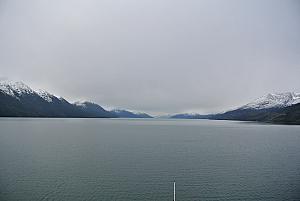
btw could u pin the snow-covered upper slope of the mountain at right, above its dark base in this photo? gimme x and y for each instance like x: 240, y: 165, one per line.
x: 275, y: 100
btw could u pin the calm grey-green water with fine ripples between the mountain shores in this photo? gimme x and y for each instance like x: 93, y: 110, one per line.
x: 120, y: 159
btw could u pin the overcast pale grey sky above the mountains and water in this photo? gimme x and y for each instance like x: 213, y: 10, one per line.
x: 157, y: 56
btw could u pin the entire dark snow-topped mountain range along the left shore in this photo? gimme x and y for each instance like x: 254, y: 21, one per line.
x: 19, y: 100
